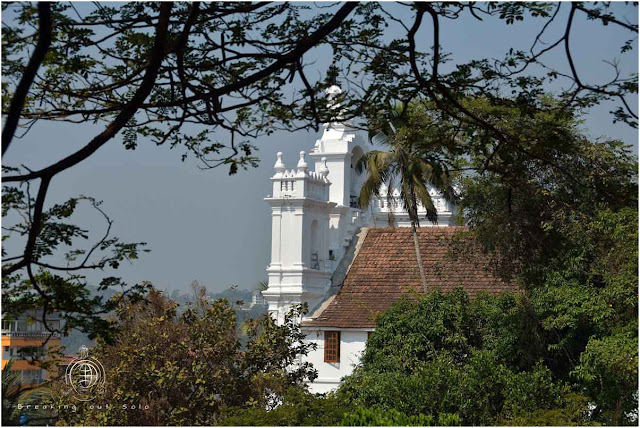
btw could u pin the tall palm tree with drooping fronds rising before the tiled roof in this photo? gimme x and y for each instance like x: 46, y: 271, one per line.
x: 412, y: 163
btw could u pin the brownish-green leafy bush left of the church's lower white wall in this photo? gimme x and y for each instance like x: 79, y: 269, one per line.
x: 189, y: 367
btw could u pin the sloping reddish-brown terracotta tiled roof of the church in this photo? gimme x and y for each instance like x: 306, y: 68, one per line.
x: 385, y: 268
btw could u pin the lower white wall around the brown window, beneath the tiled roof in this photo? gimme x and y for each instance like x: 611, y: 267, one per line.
x: 352, y: 344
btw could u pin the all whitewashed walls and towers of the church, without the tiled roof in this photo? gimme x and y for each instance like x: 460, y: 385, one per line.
x: 315, y: 221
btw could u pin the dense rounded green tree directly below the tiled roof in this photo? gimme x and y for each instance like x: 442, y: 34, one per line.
x: 447, y: 354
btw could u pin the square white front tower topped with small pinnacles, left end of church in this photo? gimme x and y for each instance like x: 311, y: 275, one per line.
x: 299, y: 271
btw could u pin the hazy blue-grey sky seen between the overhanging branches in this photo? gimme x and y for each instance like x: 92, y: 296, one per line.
x: 215, y: 228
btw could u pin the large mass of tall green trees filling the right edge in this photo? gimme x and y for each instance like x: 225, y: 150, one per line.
x: 565, y: 225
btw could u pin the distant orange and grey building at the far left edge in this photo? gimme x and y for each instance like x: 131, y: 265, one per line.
x: 24, y: 339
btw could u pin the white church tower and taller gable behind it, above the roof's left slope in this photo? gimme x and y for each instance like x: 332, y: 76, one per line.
x: 314, y: 219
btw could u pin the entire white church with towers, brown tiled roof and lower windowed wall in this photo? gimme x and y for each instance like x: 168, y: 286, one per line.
x: 343, y: 261
